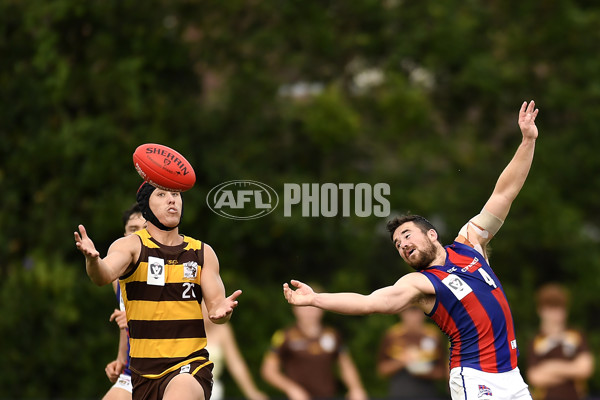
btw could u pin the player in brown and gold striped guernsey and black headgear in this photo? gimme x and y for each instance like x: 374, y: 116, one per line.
x: 164, y: 276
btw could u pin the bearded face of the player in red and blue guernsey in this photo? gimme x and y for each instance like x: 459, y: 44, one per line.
x: 415, y: 246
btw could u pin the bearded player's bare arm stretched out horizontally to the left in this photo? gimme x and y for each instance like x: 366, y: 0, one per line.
x: 411, y: 289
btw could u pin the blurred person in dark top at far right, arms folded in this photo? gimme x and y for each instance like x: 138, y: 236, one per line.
x: 560, y: 362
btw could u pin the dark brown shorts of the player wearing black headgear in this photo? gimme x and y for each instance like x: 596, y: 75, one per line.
x: 154, y: 389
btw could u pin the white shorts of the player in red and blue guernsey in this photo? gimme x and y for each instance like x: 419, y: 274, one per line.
x: 472, y: 384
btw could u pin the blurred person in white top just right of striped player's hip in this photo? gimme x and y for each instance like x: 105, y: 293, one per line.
x: 224, y: 351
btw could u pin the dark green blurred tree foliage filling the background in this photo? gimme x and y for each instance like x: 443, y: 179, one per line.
x: 420, y: 95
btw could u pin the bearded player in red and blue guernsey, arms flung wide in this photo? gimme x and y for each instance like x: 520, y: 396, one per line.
x: 455, y: 286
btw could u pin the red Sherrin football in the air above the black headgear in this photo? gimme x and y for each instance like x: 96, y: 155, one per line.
x: 164, y: 167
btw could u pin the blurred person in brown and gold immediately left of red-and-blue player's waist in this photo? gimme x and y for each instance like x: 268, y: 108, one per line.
x: 413, y: 355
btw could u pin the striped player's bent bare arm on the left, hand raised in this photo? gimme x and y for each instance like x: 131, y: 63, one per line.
x: 120, y: 256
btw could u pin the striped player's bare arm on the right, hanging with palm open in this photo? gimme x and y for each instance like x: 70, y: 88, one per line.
x: 219, y: 307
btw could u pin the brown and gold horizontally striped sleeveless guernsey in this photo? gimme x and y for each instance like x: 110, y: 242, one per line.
x: 162, y: 298
